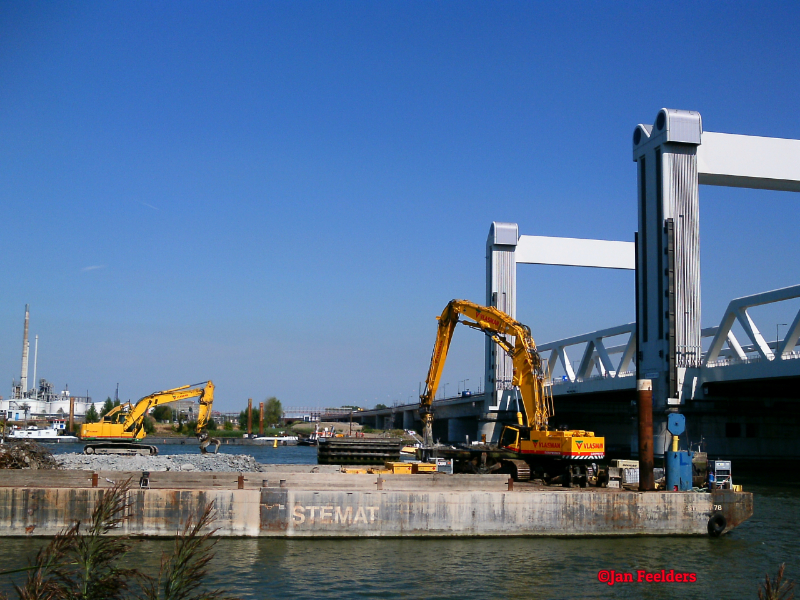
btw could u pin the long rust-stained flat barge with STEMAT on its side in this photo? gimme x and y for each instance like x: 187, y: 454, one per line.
x: 290, y: 501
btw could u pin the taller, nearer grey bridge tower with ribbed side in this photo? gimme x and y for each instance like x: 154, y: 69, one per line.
x: 668, y: 256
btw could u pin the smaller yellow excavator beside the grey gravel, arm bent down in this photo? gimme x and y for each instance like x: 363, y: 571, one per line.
x: 121, y: 429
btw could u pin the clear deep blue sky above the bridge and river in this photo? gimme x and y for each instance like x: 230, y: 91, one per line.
x: 281, y: 196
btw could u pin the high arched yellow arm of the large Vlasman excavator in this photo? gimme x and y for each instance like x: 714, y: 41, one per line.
x: 528, y: 368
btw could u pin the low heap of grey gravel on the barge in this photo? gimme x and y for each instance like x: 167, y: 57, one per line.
x: 174, y: 462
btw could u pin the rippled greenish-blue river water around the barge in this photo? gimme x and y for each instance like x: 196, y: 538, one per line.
x: 729, y: 567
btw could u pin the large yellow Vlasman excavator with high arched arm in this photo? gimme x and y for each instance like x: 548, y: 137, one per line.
x: 528, y: 445
